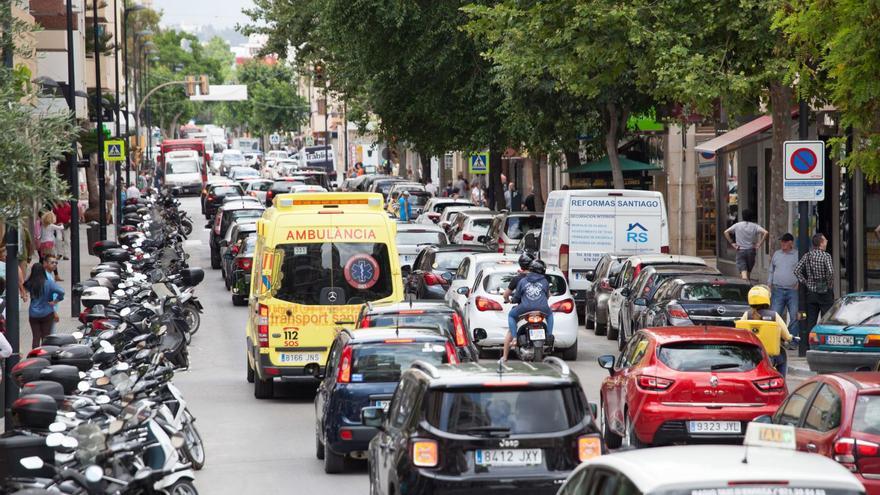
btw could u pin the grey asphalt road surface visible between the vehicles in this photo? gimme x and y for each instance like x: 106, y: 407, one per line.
x: 268, y: 446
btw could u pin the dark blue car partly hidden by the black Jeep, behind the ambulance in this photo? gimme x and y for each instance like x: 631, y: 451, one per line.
x: 362, y: 371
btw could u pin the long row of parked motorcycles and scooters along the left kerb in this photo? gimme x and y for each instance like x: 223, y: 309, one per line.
x: 98, y: 412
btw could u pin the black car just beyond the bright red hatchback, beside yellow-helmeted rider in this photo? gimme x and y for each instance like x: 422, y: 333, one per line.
x: 698, y: 300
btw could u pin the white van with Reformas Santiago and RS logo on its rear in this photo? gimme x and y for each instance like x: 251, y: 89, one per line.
x: 582, y: 225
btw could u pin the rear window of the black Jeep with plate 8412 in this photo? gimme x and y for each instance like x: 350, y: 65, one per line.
x: 514, y: 412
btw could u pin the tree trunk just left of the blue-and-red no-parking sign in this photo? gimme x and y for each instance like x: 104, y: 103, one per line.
x: 780, y: 103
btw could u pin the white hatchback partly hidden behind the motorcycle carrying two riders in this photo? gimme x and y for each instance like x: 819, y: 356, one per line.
x: 486, y: 309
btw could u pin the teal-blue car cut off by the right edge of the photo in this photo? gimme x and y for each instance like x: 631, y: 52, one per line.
x: 848, y: 336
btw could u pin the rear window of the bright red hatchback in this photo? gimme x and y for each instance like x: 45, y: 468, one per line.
x: 710, y: 356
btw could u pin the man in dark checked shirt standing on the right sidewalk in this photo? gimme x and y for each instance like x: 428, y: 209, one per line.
x: 816, y: 272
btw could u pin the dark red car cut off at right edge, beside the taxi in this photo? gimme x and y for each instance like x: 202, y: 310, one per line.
x: 838, y: 416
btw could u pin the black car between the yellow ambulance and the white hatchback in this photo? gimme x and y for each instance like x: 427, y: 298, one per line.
x: 434, y: 268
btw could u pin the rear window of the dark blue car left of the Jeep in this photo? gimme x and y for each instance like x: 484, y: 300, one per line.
x: 383, y: 361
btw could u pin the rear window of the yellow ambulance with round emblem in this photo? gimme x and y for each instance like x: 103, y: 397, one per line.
x: 334, y: 273
